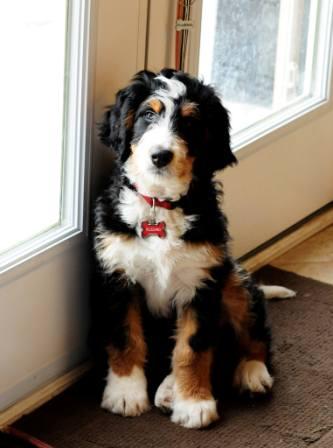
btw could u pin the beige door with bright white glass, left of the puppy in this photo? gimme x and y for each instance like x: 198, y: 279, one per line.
x: 44, y: 171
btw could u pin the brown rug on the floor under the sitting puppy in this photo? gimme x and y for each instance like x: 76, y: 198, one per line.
x: 298, y: 414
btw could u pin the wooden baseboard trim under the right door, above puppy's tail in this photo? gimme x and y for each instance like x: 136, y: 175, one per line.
x: 290, y: 239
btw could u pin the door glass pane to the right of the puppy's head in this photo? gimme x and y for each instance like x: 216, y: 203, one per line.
x: 259, y: 54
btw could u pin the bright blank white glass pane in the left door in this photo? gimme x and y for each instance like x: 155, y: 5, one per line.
x: 32, y: 86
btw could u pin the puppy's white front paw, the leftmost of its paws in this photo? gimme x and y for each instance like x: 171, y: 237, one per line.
x: 126, y: 395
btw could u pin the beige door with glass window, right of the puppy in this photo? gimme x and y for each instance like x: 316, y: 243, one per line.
x: 271, y: 62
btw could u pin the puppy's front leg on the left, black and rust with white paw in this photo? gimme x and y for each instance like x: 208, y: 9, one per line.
x: 125, y: 392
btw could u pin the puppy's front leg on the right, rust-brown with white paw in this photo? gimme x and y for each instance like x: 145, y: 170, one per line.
x: 193, y: 403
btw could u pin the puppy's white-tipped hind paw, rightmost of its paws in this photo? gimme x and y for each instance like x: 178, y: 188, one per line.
x: 253, y: 376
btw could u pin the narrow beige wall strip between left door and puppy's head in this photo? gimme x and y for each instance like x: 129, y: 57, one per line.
x: 120, y: 45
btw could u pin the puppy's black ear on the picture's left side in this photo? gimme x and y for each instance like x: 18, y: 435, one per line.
x: 116, y: 129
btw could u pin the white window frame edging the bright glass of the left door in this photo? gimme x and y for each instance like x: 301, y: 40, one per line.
x: 76, y: 150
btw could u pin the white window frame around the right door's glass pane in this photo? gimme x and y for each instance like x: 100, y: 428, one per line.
x: 250, y: 139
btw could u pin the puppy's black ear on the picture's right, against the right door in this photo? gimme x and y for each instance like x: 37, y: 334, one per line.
x: 218, y: 134
